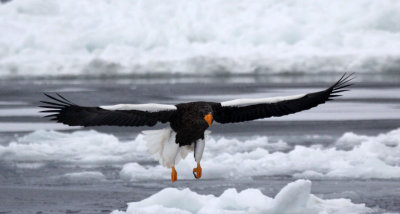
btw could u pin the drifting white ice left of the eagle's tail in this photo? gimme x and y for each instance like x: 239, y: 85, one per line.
x: 80, y: 147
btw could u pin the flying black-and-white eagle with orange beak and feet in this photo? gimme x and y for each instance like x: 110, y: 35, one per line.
x: 188, y: 122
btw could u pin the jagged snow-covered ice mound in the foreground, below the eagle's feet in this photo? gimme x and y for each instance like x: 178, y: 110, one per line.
x: 295, y: 197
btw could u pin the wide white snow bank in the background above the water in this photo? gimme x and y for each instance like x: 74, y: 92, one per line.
x: 103, y: 37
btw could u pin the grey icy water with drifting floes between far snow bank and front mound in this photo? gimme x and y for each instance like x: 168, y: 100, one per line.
x: 348, y: 148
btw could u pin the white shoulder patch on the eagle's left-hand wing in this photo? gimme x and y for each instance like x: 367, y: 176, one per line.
x: 150, y: 107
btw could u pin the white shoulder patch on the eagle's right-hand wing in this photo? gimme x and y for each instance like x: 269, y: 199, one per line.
x: 248, y: 102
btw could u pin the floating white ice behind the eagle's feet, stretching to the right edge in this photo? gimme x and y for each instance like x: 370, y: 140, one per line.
x: 362, y: 157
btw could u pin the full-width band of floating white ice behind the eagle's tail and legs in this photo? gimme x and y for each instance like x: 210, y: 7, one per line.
x: 351, y: 156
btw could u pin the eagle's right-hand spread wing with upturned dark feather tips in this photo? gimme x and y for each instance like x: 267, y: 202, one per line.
x: 250, y: 109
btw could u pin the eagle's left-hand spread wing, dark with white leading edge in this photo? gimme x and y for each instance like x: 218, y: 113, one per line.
x: 64, y: 111
